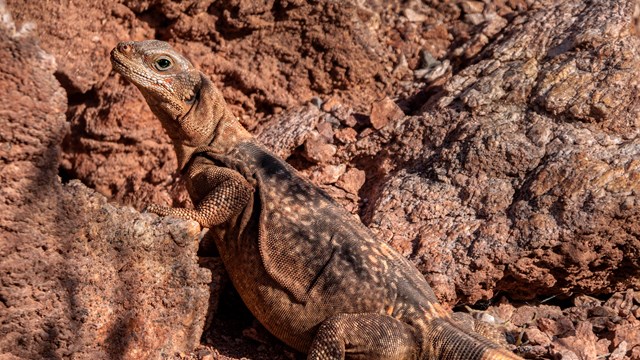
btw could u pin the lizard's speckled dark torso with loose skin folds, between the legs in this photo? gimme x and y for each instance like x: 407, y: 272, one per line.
x: 297, y: 258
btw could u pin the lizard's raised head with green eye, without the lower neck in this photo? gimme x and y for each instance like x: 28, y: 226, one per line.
x: 171, y: 86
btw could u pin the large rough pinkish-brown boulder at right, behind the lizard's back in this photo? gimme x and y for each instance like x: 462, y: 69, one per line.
x: 529, y: 175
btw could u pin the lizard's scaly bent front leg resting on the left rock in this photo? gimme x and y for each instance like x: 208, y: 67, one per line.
x: 223, y: 193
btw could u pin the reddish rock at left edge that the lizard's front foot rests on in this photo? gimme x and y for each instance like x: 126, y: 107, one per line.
x: 80, y: 277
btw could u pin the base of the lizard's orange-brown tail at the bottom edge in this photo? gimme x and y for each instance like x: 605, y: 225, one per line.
x: 446, y: 341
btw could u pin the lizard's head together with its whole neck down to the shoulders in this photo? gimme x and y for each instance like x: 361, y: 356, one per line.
x: 190, y: 107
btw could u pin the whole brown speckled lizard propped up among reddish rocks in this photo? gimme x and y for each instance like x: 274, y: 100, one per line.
x: 310, y: 272
